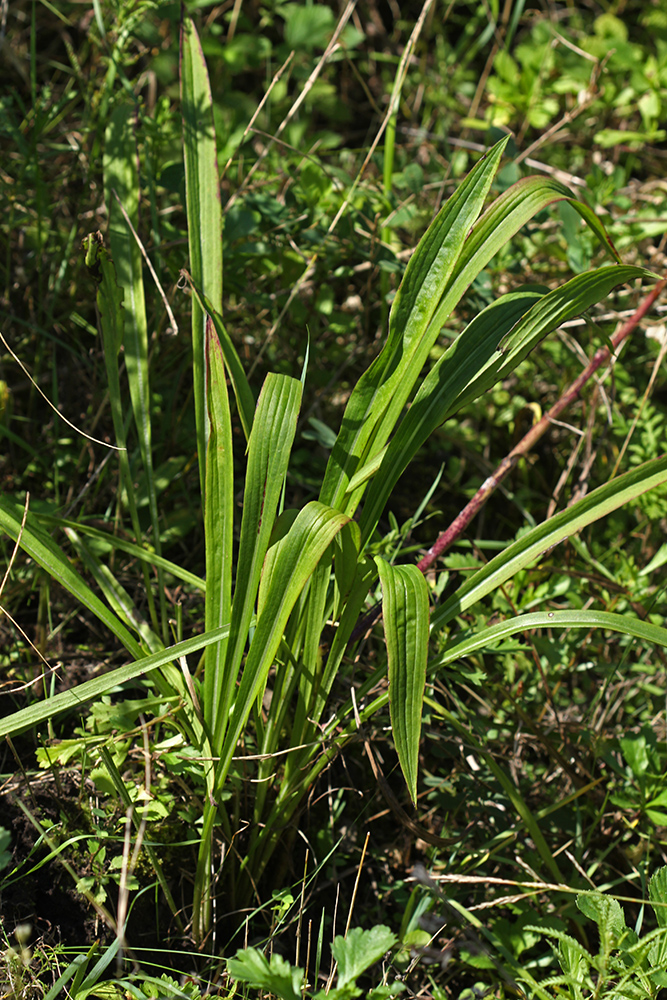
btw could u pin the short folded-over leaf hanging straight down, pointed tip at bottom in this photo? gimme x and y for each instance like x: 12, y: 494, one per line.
x: 405, y: 614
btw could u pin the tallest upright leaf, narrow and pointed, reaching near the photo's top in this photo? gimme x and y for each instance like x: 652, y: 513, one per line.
x: 204, y: 211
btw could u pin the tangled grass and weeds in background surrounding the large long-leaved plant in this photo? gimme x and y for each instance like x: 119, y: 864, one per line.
x: 542, y: 755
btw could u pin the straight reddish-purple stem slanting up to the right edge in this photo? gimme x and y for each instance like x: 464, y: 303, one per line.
x: 529, y: 440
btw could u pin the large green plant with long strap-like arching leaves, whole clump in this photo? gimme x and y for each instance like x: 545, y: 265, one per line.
x: 275, y: 581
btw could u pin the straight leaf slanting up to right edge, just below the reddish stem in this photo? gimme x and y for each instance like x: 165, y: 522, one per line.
x: 534, y: 543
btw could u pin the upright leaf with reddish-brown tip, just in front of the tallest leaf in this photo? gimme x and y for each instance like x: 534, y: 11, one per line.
x: 219, y: 531
